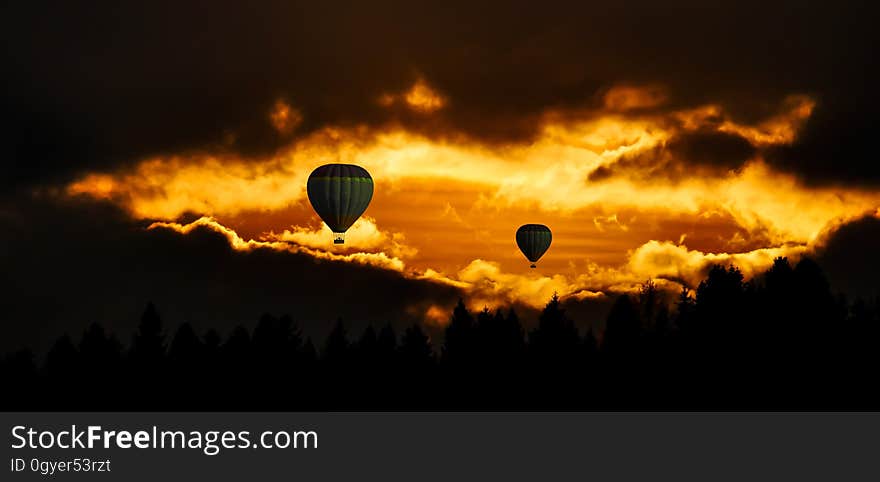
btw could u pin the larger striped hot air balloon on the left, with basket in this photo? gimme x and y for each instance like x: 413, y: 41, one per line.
x: 340, y: 193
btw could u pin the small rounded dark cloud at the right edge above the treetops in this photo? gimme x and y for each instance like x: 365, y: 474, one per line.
x: 851, y: 258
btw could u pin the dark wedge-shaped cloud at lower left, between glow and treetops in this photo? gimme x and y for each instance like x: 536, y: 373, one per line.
x: 67, y: 266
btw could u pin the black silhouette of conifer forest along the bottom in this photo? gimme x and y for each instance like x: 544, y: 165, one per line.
x: 782, y: 340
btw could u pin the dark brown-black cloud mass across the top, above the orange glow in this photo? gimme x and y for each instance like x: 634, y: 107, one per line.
x: 98, y: 85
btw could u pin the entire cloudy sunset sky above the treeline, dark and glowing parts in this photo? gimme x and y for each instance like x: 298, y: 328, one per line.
x: 160, y: 152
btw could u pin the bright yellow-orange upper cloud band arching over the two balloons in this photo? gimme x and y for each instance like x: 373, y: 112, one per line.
x: 168, y: 187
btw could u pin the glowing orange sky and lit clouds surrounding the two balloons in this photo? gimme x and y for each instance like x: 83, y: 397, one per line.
x: 447, y: 208
